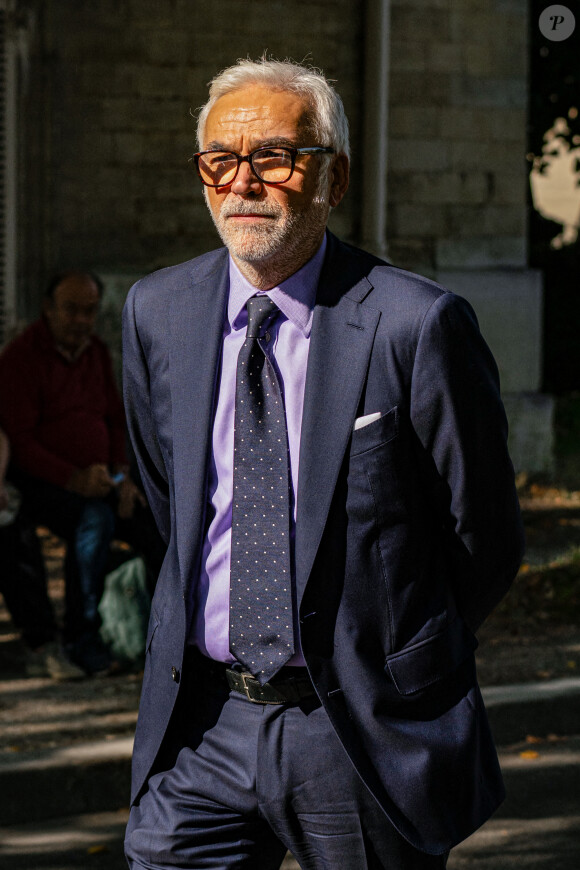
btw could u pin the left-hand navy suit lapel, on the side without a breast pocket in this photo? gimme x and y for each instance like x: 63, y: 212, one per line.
x: 197, y: 325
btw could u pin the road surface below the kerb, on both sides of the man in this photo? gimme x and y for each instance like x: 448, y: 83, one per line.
x: 537, y: 828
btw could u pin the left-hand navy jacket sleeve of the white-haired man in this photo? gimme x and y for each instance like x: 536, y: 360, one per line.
x: 141, y: 426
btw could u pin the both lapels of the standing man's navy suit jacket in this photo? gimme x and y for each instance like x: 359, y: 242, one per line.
x: 341, y: 343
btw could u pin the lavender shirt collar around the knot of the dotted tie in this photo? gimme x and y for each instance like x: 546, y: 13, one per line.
x: 294, y: 297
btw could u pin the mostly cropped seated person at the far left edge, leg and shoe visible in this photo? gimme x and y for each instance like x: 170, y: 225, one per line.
x: 23, y: 586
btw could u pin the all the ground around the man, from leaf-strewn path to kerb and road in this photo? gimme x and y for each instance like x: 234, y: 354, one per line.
x: 65, y: 749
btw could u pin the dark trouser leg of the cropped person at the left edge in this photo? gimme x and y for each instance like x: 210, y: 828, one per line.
x: 23, y: 583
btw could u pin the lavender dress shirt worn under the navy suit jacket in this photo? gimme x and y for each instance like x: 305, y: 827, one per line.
x: 288, y: 349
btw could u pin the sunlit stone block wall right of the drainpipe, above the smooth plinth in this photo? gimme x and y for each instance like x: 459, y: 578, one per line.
x: 457, y: 134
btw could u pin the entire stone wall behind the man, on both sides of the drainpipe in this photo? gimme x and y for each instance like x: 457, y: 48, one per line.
x: 113, y: 86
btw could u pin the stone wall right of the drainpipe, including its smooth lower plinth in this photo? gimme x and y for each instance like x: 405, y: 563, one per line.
x: 457, y: 185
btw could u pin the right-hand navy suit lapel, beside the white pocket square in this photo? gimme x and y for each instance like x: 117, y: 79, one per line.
x: 343, y: 332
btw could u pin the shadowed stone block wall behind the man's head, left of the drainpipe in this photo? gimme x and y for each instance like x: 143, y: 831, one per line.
x: 122, y: 79
